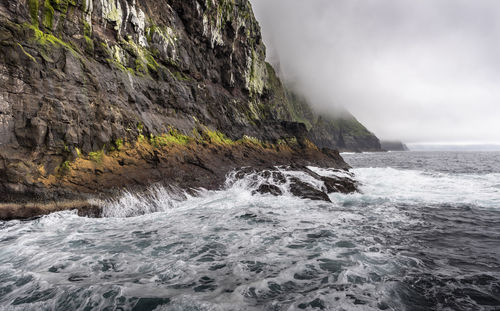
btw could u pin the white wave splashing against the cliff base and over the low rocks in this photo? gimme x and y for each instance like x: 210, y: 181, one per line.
x: 241, y: 186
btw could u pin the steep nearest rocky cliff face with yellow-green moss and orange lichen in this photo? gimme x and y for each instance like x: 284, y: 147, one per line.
x: 93, y: 88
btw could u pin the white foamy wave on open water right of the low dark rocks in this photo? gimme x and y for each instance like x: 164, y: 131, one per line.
x: 421, y: 187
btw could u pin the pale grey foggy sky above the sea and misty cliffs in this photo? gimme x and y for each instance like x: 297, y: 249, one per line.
x: 417, y: 71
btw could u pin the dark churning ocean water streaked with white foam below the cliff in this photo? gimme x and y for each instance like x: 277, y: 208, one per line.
x: 424, y: 234
